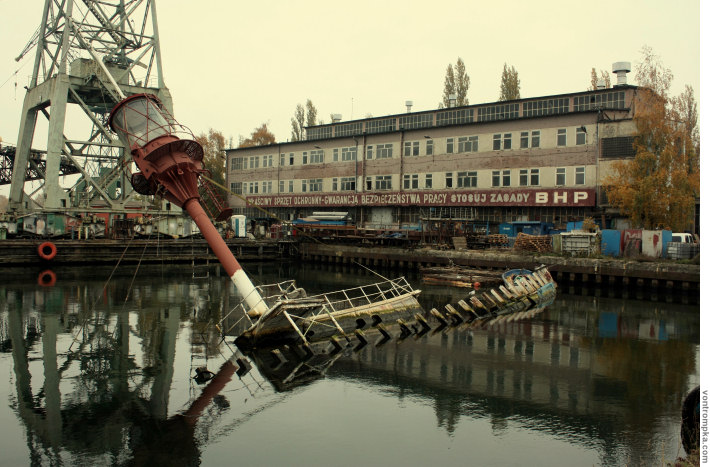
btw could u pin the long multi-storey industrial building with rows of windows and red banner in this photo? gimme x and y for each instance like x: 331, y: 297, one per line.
x: 536, y: 159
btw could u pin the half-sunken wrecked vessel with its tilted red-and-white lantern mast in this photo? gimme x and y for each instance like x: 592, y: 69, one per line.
x: 170, y: 165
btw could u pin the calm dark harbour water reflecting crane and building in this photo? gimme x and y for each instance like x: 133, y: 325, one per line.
x: 98, y: 370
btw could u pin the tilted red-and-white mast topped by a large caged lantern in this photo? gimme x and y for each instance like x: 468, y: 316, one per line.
x: 169, y: 162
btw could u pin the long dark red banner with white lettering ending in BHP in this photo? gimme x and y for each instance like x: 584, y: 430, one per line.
x: 509, y: 197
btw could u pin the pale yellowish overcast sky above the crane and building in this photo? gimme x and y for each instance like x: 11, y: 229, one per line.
x: 233, y: 65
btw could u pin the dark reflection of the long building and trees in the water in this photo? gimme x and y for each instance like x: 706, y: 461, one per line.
x: 556, y: 374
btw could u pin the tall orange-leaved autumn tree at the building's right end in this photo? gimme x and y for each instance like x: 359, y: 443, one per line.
x: 658, y: 188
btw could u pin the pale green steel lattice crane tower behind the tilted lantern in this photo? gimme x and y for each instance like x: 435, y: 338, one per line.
x: 89, y: 55
